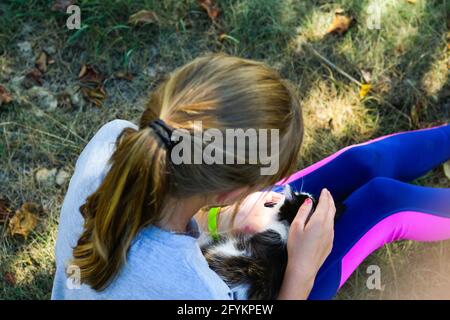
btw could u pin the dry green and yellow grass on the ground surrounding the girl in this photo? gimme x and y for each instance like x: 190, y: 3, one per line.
x: 407, y: 59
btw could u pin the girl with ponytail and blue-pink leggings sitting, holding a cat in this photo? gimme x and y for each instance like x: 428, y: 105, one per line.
x: 135, y: 236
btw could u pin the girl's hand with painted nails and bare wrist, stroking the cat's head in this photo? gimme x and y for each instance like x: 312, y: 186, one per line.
x: 309, y: 244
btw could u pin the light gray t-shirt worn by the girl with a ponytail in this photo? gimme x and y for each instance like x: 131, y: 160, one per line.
x: 160, y: 264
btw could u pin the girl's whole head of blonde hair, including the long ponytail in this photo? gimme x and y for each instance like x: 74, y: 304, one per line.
x: 221, y: 91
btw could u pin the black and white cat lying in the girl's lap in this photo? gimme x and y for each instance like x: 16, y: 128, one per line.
x: 253, y: 265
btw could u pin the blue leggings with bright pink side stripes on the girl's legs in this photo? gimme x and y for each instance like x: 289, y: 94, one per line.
x: 370, y: 179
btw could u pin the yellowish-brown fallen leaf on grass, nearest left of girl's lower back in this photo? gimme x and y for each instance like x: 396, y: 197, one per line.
x: 24, y: 220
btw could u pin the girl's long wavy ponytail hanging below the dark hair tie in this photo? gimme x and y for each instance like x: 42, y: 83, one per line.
x: 130, y: 196
